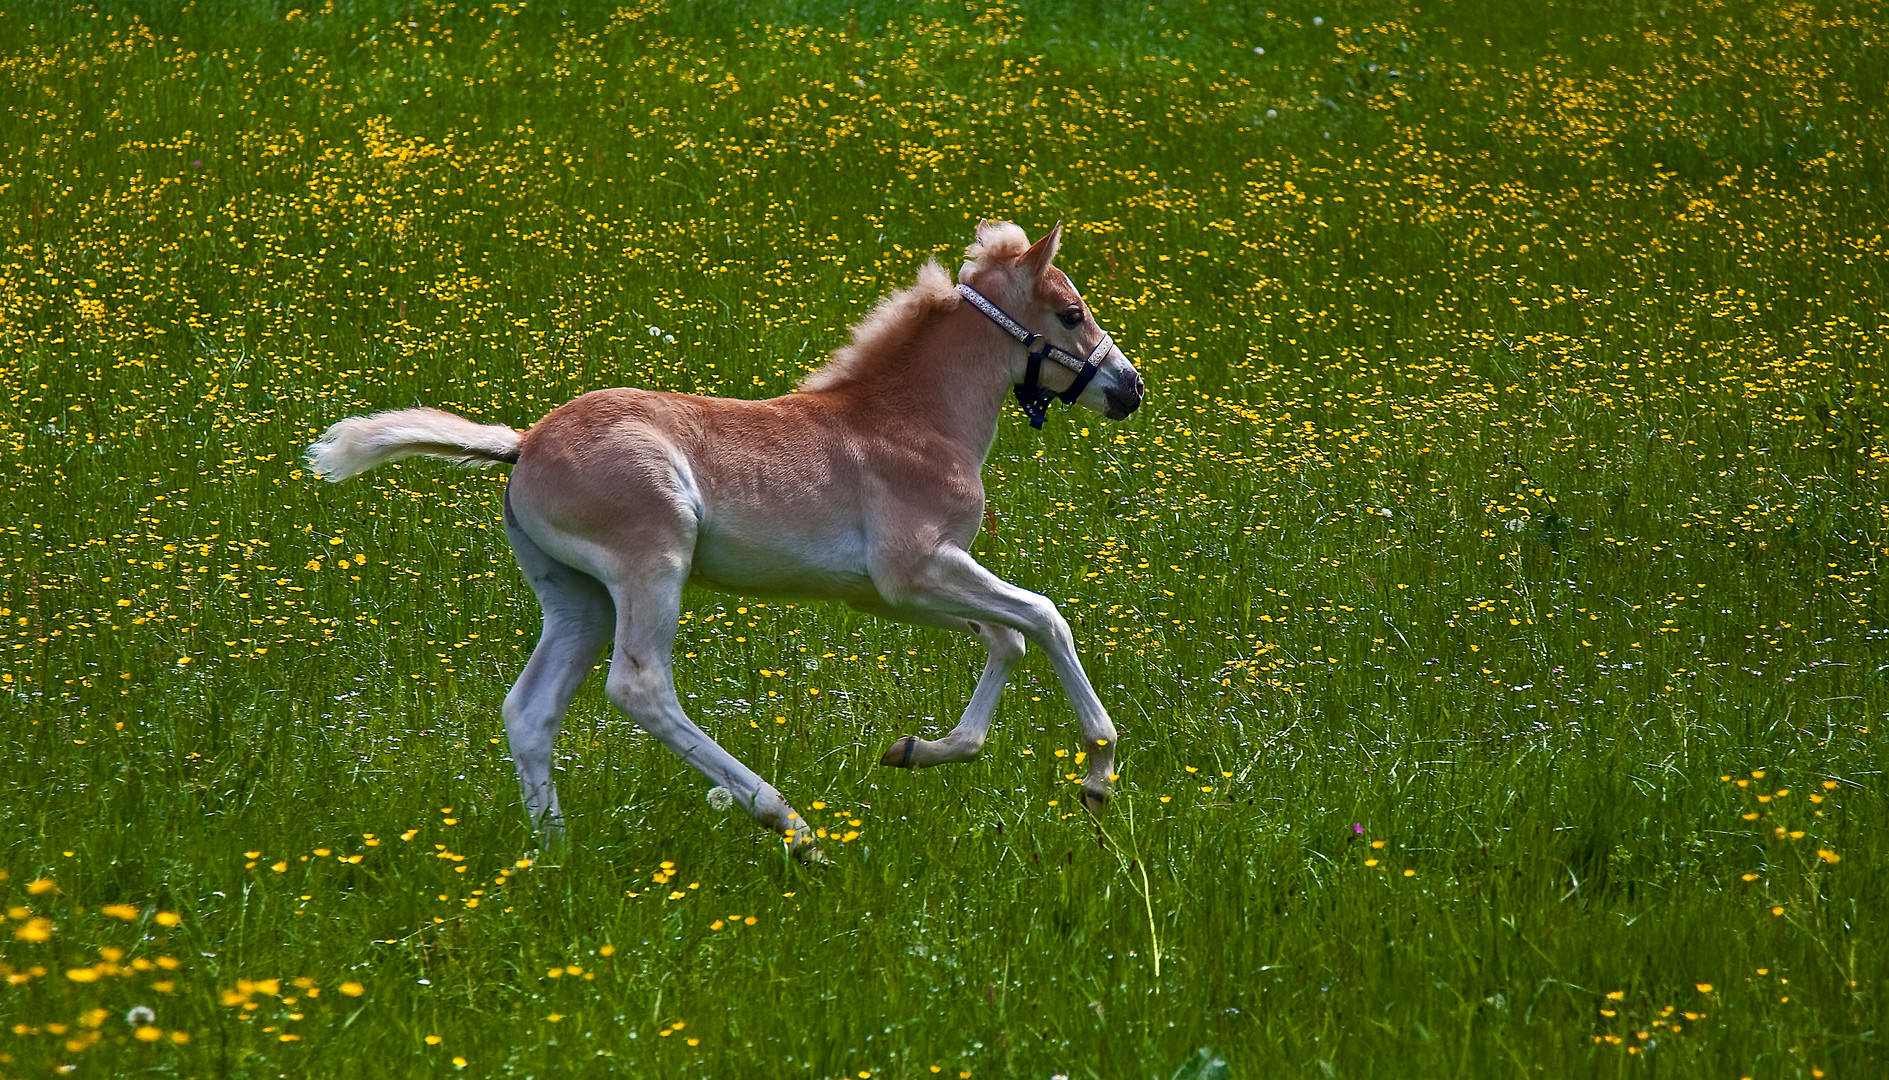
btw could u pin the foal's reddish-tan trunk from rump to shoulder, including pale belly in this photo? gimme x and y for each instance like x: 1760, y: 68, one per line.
x: 779, y: 496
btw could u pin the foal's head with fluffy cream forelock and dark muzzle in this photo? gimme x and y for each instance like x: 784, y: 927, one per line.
x: 1023, y: 280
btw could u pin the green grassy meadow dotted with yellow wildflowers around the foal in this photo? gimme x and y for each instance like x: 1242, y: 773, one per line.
x: 1486, y: 594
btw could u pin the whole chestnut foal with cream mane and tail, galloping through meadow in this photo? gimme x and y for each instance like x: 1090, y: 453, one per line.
x: 862, y: 488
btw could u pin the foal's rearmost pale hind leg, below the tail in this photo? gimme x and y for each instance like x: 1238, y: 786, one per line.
x: 577, y: 628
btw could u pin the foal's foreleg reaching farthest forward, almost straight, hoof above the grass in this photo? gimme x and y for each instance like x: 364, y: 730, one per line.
x: 951, y: 582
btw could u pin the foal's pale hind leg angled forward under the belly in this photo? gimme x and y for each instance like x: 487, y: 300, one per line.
x: 643, y: 686
